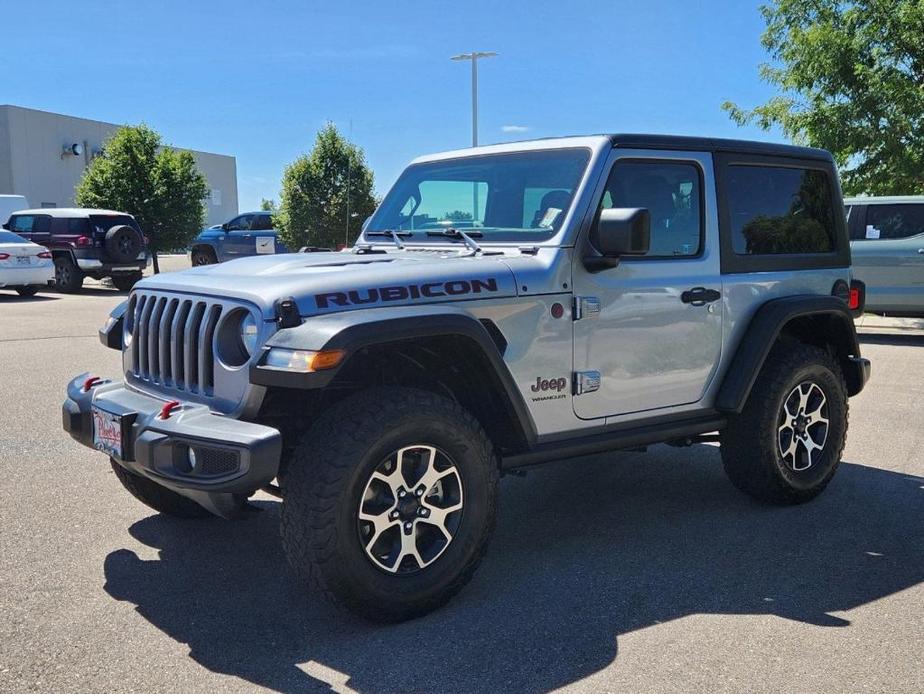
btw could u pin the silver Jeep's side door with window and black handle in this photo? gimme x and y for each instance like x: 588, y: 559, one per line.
x: 652, y: 344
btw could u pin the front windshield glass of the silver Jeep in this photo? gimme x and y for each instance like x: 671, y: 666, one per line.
x: 522, y: 196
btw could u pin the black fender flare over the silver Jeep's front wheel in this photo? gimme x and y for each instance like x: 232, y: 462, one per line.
x: 352, y: 331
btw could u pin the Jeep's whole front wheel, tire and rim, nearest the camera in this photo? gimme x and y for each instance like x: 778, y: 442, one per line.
x: 389, y: 501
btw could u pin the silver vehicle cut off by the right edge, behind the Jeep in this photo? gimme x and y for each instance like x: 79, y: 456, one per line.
x: 887, y: 246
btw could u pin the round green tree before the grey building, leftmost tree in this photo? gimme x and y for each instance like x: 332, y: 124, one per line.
x: 159, y: 185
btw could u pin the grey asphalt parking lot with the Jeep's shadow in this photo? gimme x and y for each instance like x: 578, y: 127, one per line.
x: 632, y: 572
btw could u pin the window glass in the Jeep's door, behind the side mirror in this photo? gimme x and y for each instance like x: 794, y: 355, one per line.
x: 672, y: 193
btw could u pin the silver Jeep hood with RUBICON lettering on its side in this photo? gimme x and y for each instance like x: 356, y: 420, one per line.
x: 330, y: 282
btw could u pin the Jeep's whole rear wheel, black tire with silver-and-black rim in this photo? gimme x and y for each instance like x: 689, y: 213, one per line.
x: 787, y: 442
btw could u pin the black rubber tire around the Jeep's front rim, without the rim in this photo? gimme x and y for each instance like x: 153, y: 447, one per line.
x: 328, y: 472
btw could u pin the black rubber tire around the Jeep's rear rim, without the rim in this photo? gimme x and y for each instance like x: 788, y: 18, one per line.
x: 750, y: 448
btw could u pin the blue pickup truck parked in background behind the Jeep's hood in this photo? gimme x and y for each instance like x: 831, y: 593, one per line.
x: 247, y: 234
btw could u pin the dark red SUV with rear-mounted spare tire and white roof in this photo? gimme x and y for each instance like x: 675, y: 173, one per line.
x: 86, y: 243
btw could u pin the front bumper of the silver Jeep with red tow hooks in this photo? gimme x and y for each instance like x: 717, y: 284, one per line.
x: 234, y: 458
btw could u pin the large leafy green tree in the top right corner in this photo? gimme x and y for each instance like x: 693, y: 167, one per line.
x: 850, y: 75
